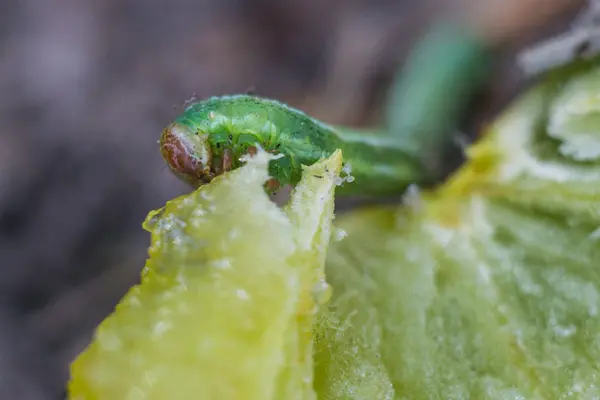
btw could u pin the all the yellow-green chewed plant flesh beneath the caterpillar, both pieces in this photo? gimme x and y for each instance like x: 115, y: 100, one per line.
x: 486, y: 288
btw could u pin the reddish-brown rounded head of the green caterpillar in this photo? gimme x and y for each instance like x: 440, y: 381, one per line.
x: 188, y: 154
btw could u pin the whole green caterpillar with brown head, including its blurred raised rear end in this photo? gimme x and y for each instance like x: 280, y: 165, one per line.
x: 425, y: 105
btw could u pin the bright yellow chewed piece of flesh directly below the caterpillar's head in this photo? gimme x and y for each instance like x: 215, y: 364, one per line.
x: 224, y: 308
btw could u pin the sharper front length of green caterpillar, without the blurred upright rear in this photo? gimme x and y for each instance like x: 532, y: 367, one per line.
x: 211, y: 137
